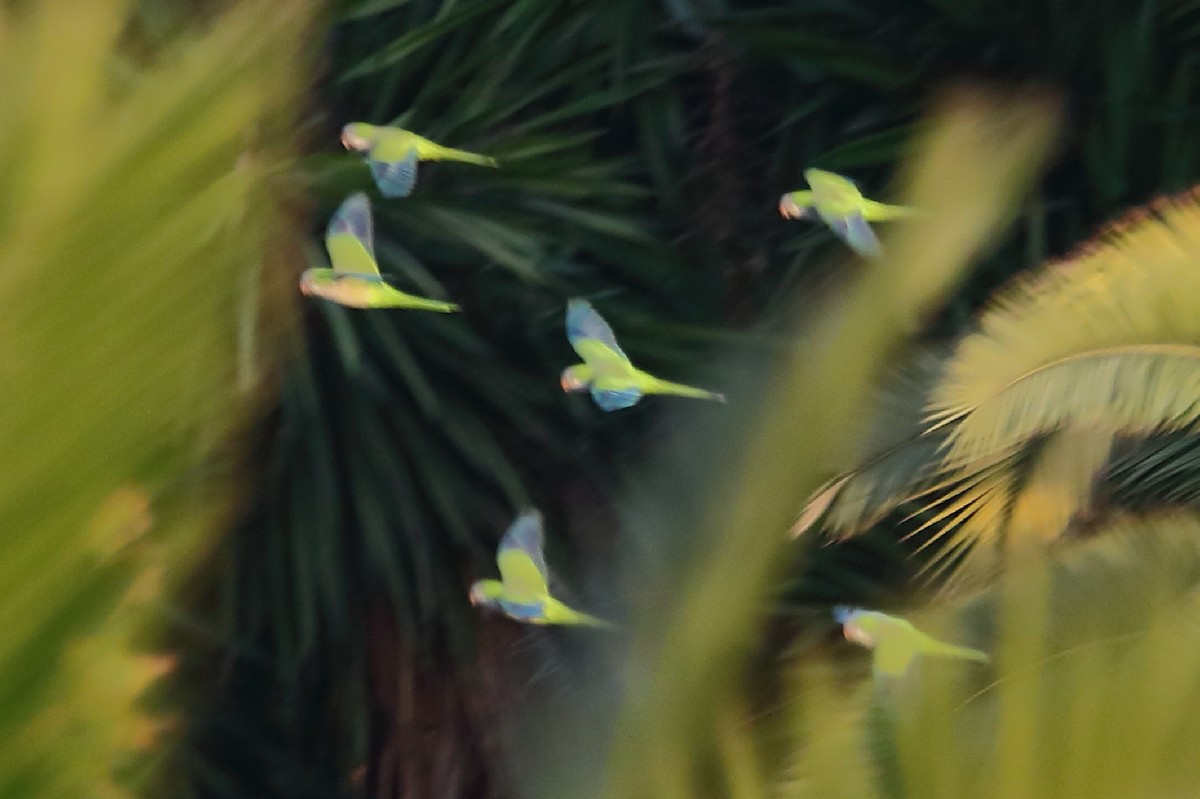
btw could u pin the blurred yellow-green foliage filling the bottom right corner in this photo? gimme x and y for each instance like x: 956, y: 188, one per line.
x: 1089, y: 695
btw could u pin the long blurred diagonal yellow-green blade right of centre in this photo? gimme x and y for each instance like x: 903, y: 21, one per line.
x: 979, y: 155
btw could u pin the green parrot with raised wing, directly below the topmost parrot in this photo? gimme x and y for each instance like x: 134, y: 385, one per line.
x: 356, y: 281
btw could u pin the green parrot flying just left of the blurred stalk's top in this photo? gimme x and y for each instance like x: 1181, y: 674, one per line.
x: 841, y: 206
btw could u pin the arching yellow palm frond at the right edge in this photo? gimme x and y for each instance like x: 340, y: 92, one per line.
x: 1107, y: 338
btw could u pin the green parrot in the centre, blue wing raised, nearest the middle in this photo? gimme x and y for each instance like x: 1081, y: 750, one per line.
x: 607, y: 371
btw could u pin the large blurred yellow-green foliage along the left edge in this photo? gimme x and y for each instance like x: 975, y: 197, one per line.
x: 125, y: 245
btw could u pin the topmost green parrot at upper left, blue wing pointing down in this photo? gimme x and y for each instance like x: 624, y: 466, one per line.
x: 393, y: 154
